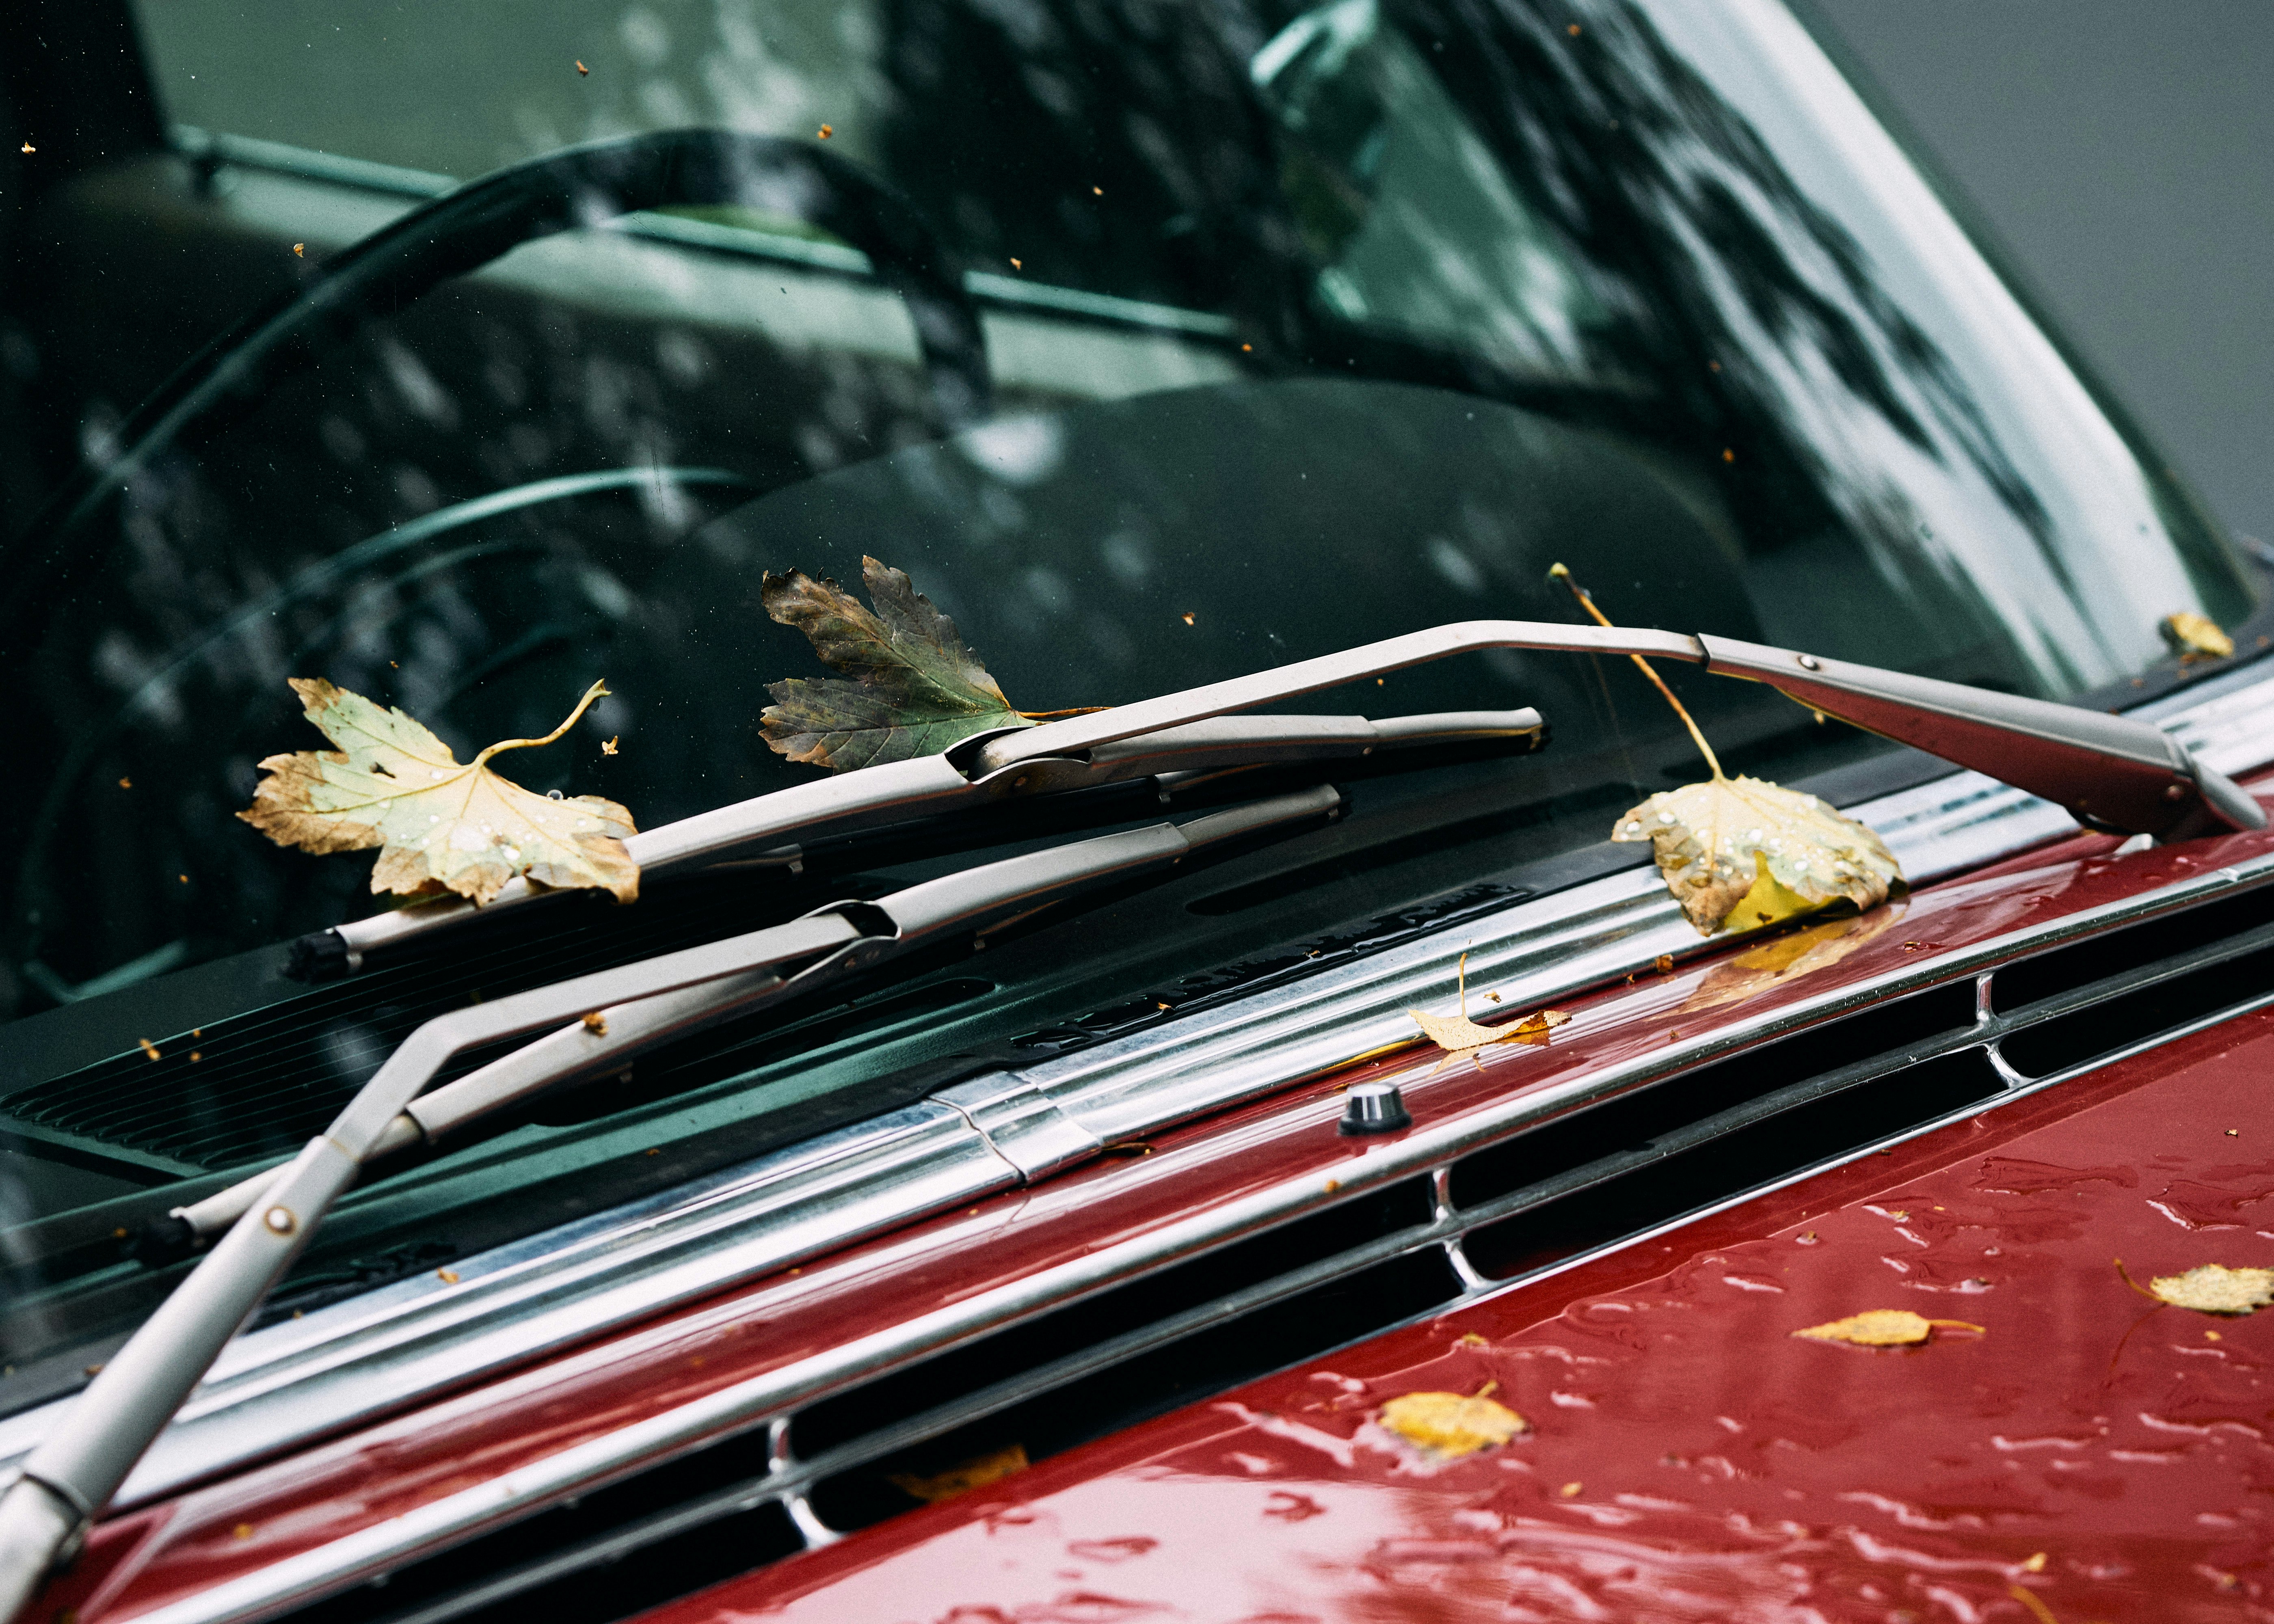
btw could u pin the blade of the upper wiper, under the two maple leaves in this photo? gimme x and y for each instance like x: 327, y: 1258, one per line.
x: 945, y: 786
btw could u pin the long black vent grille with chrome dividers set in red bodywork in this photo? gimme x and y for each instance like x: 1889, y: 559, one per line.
x: 1677, y: 1145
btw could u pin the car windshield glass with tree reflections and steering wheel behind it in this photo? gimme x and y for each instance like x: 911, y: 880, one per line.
x: 1156, y: 342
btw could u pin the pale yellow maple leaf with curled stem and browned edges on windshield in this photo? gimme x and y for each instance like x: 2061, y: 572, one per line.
x: 440, y: 827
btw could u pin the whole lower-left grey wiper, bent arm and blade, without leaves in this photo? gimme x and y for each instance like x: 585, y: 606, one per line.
x: 601, y: 1020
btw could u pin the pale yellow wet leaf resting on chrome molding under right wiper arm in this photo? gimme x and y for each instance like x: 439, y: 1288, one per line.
x: 1745, y: 854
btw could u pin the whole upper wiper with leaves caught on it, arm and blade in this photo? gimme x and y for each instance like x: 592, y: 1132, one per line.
x: 2109, y: 772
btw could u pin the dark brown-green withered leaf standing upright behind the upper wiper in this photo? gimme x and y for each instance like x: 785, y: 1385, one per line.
x: 915, y: 688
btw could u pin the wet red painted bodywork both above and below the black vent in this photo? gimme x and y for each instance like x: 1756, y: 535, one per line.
x: 1688, y: 1457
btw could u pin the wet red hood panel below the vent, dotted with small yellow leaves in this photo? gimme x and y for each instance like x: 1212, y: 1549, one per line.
x: 1688, y: 1457
